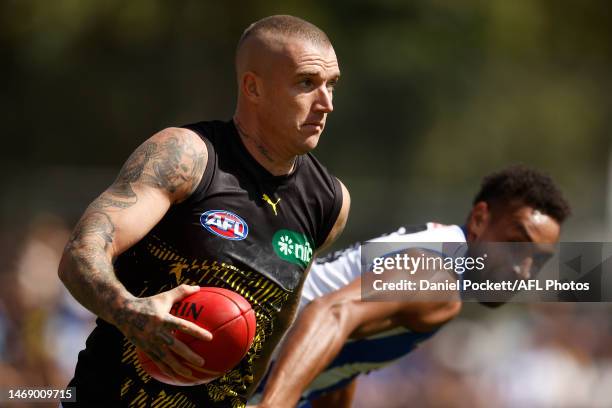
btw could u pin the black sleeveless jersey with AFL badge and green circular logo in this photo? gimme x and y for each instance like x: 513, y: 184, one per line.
x: 243, y: 229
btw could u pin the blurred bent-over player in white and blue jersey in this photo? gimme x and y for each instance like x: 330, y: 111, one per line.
x: 338, y: 336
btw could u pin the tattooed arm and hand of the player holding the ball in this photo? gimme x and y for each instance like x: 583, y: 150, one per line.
x: 164, y: 170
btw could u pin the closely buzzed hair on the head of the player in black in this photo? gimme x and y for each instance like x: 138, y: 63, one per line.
x: 285, y: 25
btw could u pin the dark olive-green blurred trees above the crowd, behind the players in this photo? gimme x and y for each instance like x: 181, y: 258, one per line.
x: 434, y: 95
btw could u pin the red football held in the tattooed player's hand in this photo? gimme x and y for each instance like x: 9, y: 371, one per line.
x: 230, y: 319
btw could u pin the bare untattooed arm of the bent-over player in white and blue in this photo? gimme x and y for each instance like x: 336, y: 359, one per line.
x: 324, y: 326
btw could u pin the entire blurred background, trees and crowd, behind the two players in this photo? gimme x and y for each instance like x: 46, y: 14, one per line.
x: 434, y: 95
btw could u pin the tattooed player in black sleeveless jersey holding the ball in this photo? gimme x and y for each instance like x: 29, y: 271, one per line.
x: 154, y: 234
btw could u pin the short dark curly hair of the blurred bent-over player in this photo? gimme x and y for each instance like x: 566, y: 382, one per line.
x: 530, y: 187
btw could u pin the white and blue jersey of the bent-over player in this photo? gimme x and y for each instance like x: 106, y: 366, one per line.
x: 363, y: 355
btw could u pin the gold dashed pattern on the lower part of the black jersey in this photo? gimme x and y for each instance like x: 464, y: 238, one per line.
x: 265, y: 297
